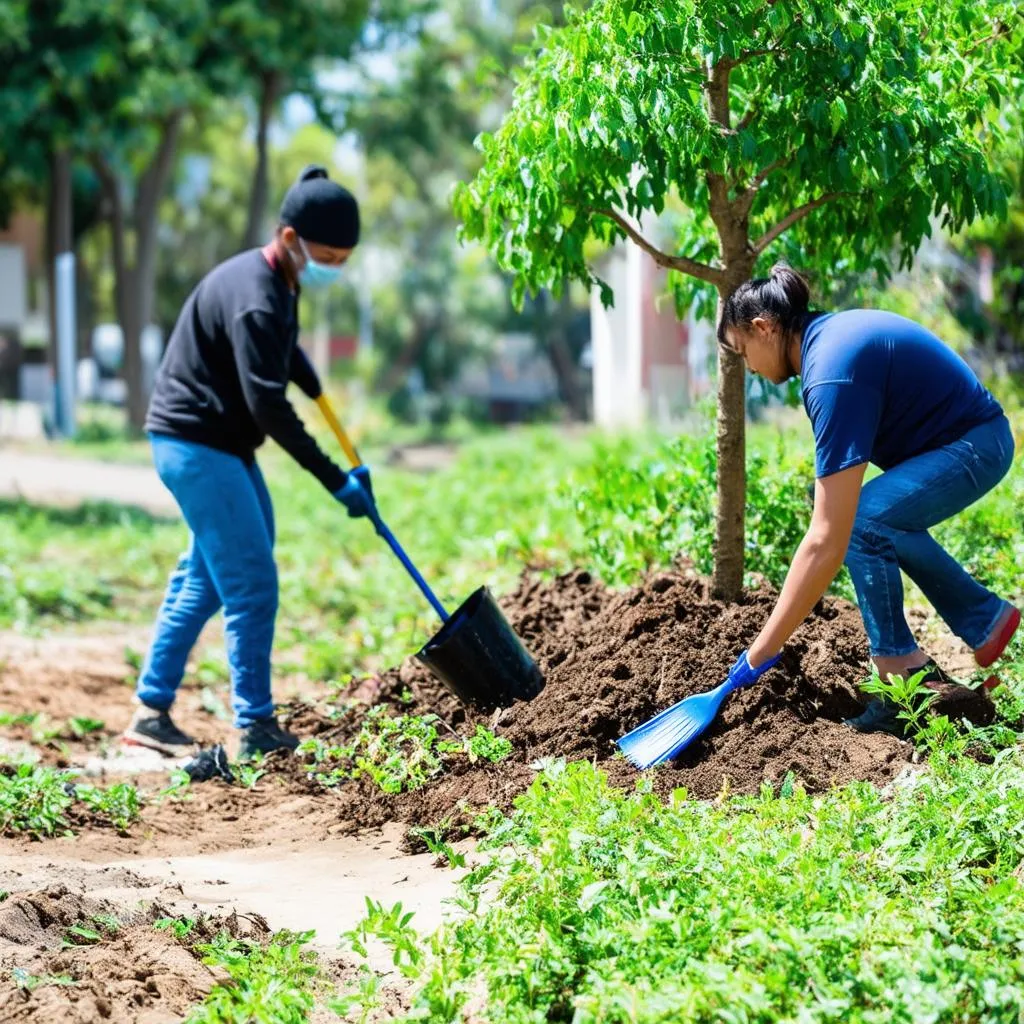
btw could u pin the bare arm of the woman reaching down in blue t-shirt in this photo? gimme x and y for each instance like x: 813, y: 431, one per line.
x: 817, y: 563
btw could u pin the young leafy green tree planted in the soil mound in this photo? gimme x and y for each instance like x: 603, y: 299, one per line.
x: 833, y: 131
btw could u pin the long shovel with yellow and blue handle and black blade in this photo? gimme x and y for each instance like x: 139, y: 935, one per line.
x: 477, y: 654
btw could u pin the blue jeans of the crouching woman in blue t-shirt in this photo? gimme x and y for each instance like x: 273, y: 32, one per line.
x: 890, y: 534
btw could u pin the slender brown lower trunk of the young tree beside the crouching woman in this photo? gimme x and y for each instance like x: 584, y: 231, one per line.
x: 728, y: 579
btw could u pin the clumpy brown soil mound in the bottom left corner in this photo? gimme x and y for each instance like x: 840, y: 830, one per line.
x: 134, y: 973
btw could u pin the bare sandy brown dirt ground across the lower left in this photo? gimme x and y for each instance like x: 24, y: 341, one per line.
x: 246, y: 862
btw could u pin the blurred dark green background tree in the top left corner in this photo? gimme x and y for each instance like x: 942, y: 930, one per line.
x: 111, y: 82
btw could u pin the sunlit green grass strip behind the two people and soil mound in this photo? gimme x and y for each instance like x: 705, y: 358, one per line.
x: 618, y: 505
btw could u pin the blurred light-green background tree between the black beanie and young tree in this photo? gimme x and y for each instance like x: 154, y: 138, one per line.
x: 417, y: 130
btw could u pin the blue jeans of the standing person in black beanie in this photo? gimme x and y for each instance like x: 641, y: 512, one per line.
x: 229, y: 564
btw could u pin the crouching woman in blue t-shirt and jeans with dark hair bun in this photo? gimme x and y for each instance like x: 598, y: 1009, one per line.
x: 878, y: 389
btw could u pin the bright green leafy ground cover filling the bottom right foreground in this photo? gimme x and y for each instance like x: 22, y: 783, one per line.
x: 852, y: 907
